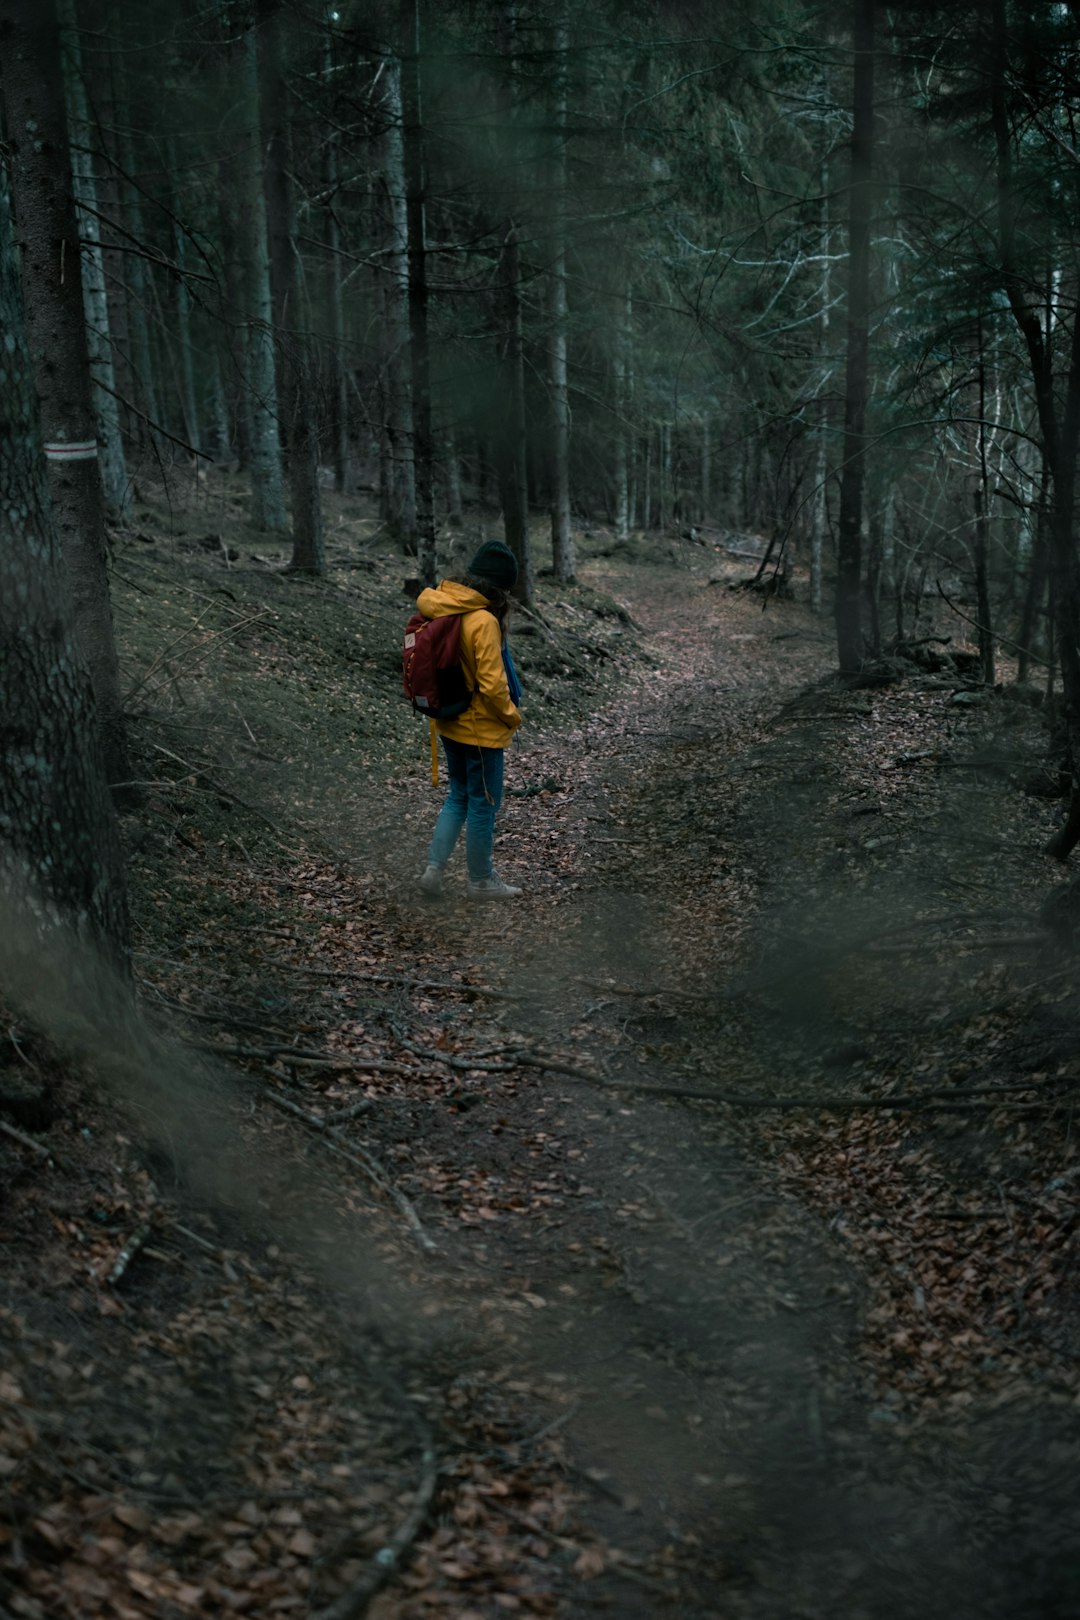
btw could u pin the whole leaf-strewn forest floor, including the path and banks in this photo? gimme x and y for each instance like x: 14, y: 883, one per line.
x: 692, y: 1238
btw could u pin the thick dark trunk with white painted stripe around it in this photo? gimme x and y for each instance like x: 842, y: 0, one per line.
x: 56, y: 331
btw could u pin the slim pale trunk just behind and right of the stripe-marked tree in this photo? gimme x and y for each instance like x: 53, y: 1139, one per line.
x: 114, y: 469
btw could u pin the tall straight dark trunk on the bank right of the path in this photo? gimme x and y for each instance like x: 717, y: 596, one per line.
x: 849, y: 629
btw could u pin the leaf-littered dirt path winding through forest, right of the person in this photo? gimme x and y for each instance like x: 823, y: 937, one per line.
x: 707, y: 1319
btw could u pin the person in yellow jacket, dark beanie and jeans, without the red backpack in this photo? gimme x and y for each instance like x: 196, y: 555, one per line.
x: 475, y: 741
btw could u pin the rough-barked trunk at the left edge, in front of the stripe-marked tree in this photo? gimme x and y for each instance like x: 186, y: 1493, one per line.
x: 59, y: 840
